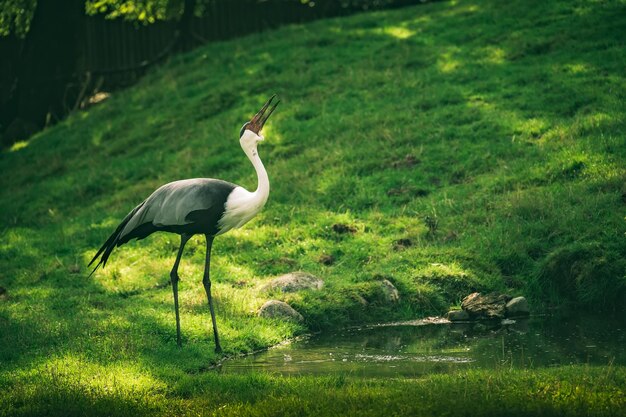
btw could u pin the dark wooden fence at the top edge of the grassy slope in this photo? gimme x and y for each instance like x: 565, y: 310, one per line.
x: 121, y: 50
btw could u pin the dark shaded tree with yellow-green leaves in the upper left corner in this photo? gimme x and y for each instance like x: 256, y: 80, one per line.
x: 42, y: 47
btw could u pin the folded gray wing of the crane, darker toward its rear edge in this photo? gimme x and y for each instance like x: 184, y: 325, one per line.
x: 187, y: 206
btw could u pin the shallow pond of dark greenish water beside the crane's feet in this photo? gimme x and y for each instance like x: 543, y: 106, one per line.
x: 415, y: 348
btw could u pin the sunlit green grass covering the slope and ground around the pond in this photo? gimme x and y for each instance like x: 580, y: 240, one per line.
x: 512, y: 114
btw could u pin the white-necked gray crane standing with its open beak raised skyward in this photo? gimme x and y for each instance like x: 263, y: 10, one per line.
x: 198, y: 206
